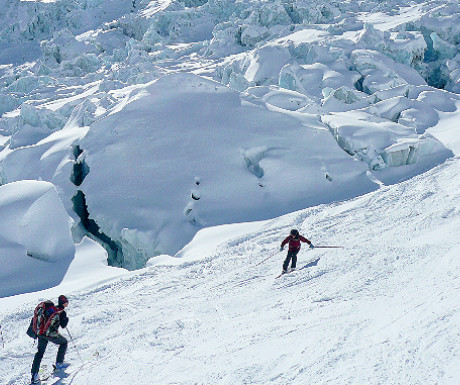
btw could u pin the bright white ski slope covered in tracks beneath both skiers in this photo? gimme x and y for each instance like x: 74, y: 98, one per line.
x: 383, y: 310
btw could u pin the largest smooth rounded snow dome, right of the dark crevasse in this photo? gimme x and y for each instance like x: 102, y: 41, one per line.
x: 184, y: 152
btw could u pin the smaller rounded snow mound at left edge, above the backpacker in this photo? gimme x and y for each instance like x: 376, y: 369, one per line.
x: 36, y: 246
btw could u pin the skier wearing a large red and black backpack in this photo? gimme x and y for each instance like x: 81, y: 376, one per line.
x: 48, y: 331
